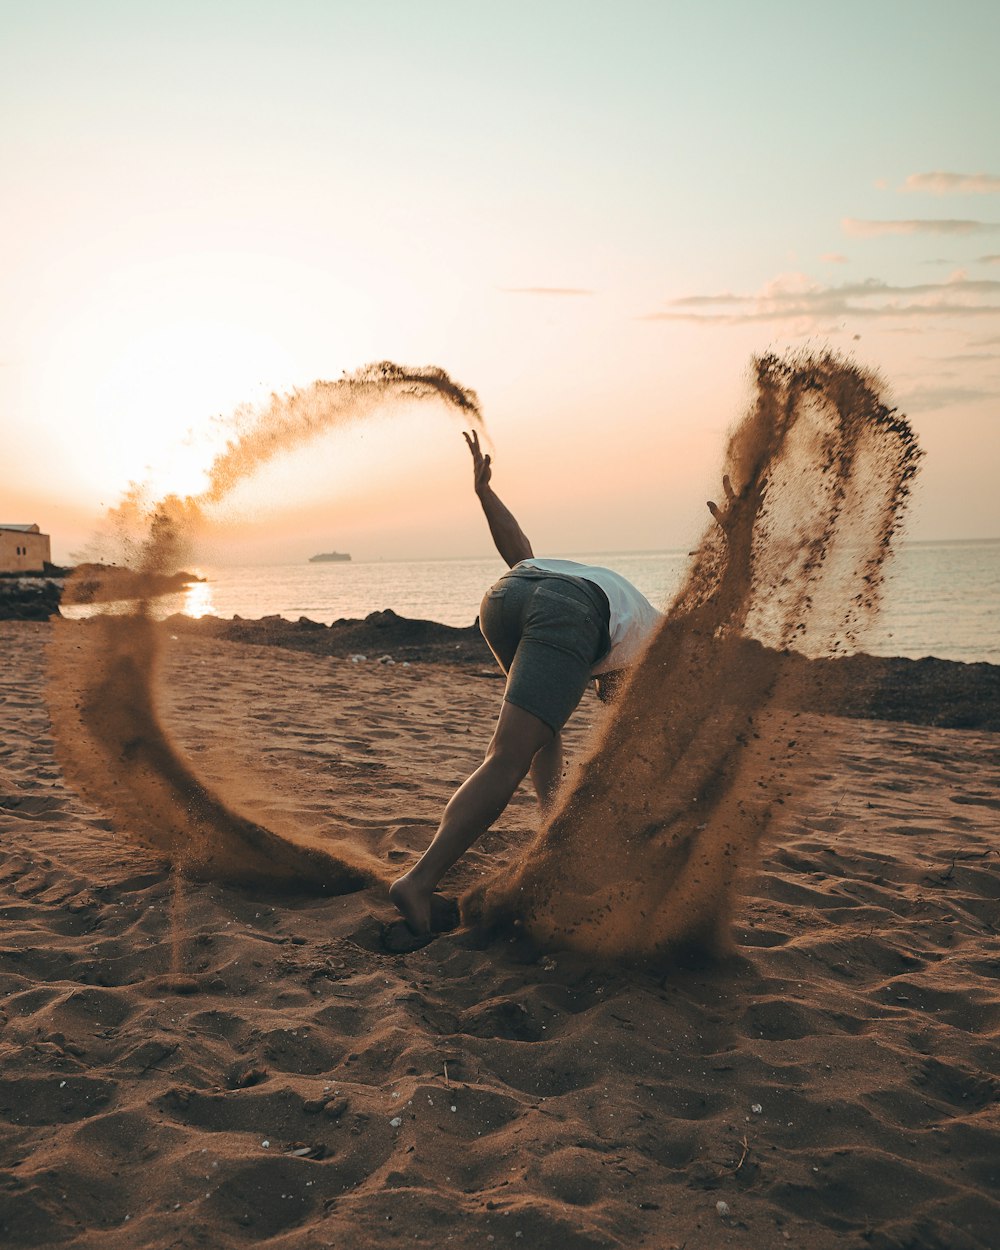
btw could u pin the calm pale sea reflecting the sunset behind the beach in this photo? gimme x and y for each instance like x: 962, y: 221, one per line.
x: 942, y: 599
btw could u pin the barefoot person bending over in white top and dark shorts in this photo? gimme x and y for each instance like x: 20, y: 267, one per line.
x: 553, y: 626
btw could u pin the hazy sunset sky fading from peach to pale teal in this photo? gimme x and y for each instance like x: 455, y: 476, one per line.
x: 593, y: 214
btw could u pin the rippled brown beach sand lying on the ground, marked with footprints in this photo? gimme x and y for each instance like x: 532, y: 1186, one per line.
x: 193, y: 1064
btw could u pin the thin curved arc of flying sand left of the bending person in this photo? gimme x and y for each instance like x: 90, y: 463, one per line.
x: 102, y: 673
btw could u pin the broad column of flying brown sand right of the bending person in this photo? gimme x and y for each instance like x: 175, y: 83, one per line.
x: 646, y: 848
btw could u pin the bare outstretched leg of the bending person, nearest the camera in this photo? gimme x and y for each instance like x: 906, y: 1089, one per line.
x: 476, y: 806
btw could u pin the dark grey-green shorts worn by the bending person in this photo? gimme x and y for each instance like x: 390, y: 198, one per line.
x: 547, y: 632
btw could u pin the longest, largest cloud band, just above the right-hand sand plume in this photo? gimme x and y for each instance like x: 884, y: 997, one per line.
x: 797, y: 297
